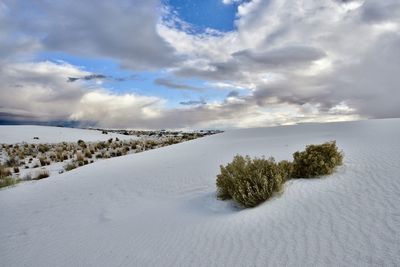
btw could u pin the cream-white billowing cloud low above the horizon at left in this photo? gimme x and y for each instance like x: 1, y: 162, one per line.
x: 41, y: 91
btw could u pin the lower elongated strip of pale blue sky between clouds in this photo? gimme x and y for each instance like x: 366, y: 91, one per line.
x: 122, y: 81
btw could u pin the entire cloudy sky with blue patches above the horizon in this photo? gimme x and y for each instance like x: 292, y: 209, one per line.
x: 178, y: 64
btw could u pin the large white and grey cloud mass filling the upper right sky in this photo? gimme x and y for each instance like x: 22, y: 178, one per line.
x: 327, y: 54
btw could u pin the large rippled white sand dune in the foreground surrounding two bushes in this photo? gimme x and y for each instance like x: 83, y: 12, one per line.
x: 158, y: 208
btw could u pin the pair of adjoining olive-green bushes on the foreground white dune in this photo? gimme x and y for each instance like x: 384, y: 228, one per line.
x: 250, y: 182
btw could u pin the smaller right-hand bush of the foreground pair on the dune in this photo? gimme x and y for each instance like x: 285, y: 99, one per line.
x: 316, y: 160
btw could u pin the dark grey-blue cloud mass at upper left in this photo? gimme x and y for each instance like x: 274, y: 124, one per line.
x: 122, y: 30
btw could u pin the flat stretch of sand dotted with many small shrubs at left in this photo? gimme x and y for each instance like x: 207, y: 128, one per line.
x: 23, y: 160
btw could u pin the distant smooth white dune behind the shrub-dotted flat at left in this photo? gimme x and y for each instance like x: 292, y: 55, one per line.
x: 11, y: 134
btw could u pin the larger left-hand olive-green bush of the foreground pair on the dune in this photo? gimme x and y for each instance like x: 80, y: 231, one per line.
x: 249, y: 181
